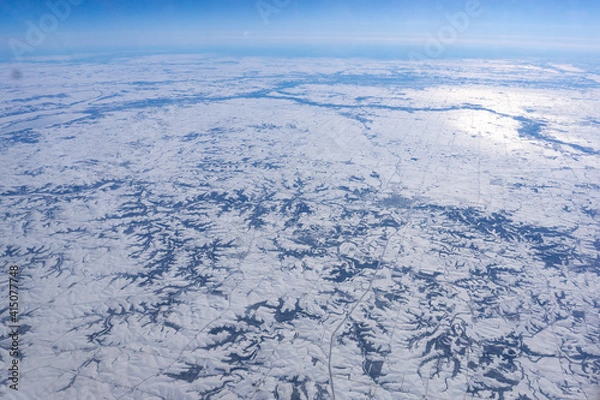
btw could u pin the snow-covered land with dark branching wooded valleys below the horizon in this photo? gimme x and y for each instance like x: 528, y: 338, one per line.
x: 195, y: 227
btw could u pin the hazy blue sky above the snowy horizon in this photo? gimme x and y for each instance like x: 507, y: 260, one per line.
x: 330, y: 26
